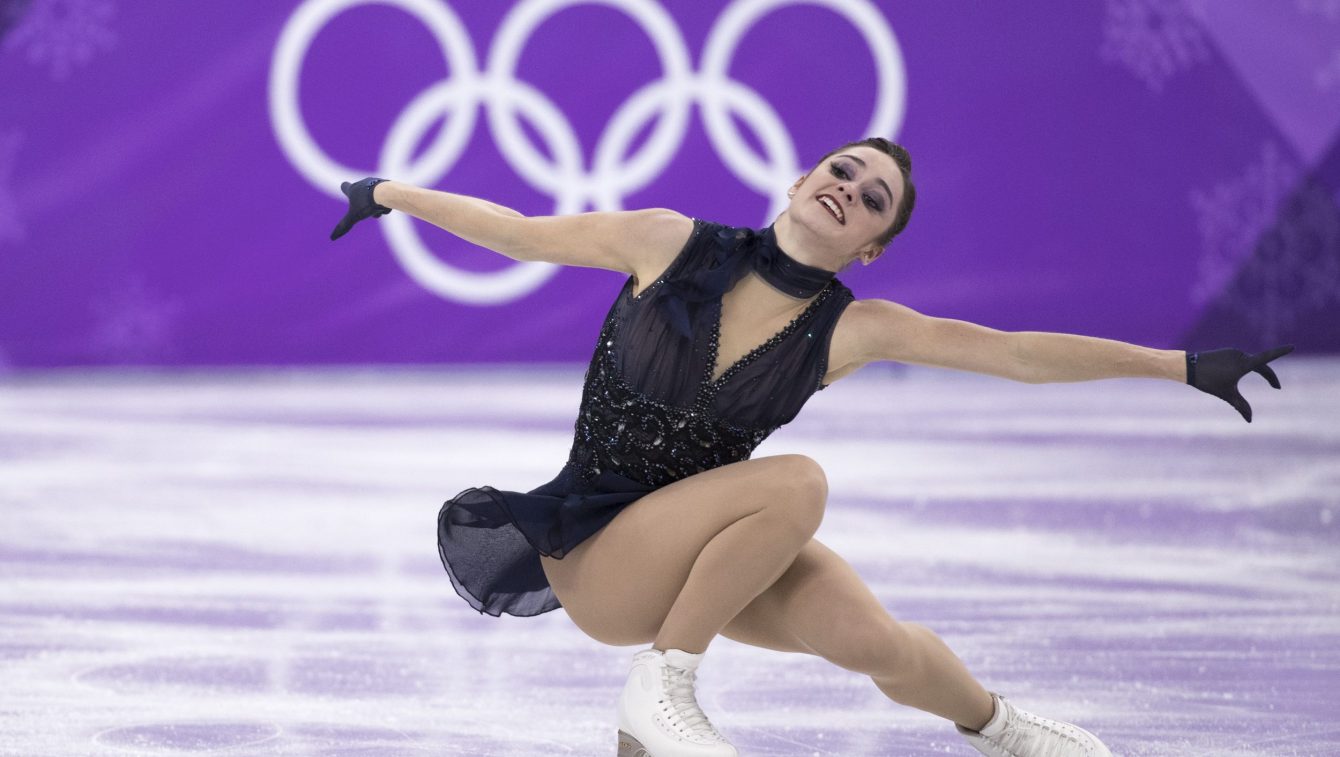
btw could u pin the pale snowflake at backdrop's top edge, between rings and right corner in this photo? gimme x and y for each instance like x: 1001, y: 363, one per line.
x: 1154, y: 40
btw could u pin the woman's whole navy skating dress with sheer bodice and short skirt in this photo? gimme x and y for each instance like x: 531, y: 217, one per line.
x: 651, y: 413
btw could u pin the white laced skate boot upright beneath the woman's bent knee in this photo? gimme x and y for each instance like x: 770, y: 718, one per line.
x: 660, y: 715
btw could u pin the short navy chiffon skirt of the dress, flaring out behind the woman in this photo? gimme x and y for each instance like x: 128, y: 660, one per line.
x: 491, y: 541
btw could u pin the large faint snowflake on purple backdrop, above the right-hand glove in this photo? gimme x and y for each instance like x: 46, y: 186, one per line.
x: 1271, y: 245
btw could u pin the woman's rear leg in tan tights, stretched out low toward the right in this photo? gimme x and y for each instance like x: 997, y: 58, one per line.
x: 822, y: 605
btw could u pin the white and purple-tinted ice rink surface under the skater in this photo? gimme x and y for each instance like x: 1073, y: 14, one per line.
x: 245, y: 563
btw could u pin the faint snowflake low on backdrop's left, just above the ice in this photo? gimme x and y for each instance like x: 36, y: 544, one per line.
x: 135, y: 324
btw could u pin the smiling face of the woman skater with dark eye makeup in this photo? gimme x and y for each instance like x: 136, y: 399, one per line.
x: 848, y: 202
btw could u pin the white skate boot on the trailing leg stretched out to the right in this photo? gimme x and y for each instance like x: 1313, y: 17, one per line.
x: 1016, y: 734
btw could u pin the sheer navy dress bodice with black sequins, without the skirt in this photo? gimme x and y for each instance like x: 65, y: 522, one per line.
x: 680, y: 421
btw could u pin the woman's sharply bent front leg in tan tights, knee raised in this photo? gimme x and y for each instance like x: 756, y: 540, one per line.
x: 681, y: 562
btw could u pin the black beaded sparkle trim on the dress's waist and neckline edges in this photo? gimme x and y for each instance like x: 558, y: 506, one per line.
x: 629, y: 433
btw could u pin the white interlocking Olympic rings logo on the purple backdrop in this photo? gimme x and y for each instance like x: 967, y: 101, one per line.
x: 503, y: 96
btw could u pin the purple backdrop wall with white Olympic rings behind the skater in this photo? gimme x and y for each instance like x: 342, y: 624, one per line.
x: 1152, y: 171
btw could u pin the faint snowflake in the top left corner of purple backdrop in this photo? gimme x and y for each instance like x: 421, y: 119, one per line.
x: 64, y: 34
